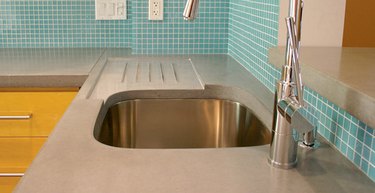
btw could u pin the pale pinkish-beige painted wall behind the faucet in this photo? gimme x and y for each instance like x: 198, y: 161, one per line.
x: 322, y: 25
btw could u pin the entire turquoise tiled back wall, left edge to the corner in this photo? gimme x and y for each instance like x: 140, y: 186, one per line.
x: 71, y: 23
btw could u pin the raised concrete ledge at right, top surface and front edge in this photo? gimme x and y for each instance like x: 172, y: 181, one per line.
x: 345, y: 76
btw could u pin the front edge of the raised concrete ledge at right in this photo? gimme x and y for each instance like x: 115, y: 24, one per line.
x: 343, y: 95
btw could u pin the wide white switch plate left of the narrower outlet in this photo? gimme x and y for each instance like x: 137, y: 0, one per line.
x: 110, y: 9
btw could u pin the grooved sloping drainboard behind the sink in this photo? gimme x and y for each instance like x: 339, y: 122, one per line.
x: 142, y: 74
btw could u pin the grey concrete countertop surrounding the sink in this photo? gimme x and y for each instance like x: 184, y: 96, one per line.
x: 73, y: 161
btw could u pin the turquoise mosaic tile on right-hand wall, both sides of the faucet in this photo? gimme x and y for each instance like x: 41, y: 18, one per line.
x: 253, y: 28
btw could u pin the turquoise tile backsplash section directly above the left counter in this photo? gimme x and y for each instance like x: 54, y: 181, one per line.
x: 59, y: 23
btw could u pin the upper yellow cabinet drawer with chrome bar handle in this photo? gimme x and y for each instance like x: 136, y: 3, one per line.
x: 45, y: 107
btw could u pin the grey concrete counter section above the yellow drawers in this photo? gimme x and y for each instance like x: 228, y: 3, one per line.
x: 53, y: 67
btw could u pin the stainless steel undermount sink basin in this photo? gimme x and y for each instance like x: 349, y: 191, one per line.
x: 181, y: 123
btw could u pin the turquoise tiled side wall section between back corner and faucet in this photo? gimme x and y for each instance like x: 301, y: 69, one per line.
x: 253, y: 29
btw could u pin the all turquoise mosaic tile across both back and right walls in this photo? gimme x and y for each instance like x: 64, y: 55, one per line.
x: 245, y: 29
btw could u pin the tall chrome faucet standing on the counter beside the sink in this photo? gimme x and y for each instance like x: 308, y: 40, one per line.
x: 288, y: 119
